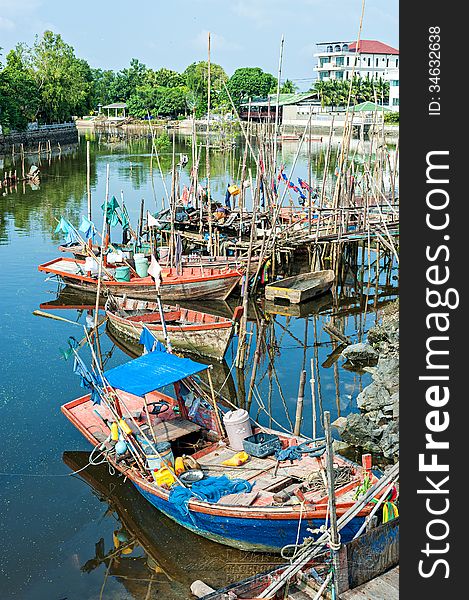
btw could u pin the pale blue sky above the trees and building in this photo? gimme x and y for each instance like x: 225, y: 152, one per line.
x: 173, y: 34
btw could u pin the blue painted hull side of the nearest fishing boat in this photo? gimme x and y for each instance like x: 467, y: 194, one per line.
x: 257, y: 534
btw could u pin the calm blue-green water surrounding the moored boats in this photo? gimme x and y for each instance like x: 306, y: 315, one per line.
x: 56, y: 530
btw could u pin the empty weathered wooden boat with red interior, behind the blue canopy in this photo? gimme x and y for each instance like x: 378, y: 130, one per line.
x: 192, y: 331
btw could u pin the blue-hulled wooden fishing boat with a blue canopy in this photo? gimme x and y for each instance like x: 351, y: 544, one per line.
x: 251, y: 520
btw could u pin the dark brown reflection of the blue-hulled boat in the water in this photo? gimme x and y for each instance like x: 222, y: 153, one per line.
x: 160, y: 545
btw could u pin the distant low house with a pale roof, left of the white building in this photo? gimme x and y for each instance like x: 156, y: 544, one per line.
x: 264, y: 110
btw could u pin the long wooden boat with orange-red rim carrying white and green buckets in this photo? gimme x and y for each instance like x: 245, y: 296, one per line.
x: 193, y: 282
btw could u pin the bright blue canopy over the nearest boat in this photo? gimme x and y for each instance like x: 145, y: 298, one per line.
x: 151, y: 372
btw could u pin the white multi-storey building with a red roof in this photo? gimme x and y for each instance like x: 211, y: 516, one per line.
x: 373, y: 60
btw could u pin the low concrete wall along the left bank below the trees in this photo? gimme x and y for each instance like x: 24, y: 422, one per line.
x: 57, y: 134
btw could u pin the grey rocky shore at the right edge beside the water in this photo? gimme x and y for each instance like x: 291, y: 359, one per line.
x: 376, y: 428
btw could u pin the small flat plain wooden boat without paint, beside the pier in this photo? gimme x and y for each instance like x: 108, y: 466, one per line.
x: 300, y: 288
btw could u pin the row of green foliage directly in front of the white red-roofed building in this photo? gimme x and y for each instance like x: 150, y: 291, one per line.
x: 336, y: 92
